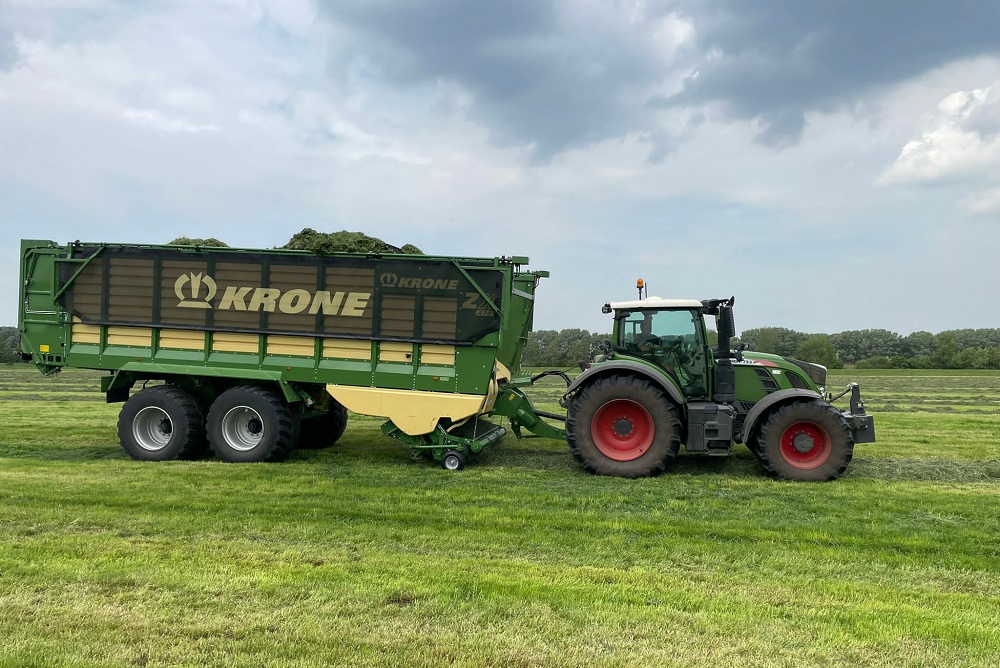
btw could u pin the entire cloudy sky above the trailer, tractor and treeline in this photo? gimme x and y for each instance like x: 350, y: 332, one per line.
x: 833, y: 165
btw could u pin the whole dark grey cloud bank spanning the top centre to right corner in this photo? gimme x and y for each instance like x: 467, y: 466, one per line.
x: 563, y: 76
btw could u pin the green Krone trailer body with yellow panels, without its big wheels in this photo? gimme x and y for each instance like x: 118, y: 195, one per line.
x: 425, y: 341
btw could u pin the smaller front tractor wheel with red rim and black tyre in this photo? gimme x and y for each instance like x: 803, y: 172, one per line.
x: 806, y: 441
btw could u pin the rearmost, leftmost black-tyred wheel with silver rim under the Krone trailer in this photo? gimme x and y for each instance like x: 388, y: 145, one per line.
x: 162, y: 423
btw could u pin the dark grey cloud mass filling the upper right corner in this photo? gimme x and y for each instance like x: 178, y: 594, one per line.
x: 775, y: 60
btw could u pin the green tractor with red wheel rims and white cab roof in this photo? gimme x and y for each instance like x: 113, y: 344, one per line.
x: 658, y: 384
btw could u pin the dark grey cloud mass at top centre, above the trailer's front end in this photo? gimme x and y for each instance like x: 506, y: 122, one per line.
x: 538, y: 74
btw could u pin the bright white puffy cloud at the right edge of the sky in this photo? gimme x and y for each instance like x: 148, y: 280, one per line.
x: 965, y: 141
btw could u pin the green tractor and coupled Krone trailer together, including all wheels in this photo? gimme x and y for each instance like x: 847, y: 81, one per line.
x: 253, y: 353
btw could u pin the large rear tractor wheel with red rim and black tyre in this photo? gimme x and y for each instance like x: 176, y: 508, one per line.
x: 623, y: 426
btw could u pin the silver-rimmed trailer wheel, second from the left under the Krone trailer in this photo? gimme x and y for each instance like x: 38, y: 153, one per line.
x: 251, y: 424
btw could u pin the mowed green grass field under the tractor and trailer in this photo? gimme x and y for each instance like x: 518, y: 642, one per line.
x: 358, y: 556
